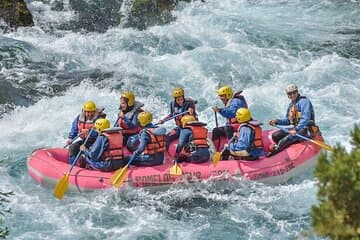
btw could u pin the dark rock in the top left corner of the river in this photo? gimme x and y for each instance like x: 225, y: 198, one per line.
x: 15, y: 13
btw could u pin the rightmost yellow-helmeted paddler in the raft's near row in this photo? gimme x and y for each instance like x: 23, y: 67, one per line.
x: 247, y: 142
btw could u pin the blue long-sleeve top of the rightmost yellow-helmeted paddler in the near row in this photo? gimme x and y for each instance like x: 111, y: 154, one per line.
x: 244, y: 142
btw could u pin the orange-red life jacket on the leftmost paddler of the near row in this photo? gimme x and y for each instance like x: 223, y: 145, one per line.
x: 115, y: 150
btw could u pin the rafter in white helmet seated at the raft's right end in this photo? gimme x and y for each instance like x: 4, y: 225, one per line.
x: 300, y: 116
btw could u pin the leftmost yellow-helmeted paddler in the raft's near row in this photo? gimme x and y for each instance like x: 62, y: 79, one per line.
x: 106, y: 154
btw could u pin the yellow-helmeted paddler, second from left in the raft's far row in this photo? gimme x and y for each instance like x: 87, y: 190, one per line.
x: 129, y: 110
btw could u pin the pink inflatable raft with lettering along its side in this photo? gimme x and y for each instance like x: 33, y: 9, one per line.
x: 48, y: 165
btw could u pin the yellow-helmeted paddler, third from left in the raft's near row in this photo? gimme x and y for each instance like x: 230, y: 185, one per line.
x: 192, y: 146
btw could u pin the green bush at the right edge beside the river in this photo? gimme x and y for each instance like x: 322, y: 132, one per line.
x: 337, y: 215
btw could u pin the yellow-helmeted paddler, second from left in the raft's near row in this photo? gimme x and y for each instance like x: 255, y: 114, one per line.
x: 151, y: 148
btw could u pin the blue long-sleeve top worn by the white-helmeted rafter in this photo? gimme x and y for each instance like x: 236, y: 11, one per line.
x: 304, y: 106
